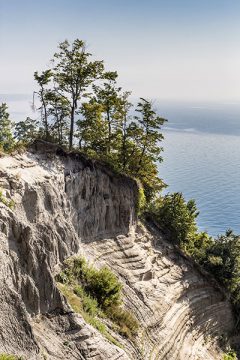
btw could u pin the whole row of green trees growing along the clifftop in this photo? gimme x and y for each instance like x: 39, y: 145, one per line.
x: 82, y: 107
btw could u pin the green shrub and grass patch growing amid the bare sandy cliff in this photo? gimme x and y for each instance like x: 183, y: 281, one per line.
x: 96, y: 294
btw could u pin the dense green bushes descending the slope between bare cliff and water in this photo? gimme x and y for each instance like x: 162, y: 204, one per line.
x: 220, y: 257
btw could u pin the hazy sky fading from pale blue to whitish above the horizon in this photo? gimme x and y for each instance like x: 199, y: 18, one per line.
x: 167, y: 49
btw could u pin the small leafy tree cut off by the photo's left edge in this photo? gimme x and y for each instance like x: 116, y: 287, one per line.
x: 6, y: 126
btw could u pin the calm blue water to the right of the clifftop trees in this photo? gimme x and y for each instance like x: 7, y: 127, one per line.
x: 202, y: 160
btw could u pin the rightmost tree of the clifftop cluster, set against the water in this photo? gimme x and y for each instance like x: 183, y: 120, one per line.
x: 142, y: 148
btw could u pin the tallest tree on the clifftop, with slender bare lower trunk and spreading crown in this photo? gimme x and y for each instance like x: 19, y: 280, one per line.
x: 73, y: 73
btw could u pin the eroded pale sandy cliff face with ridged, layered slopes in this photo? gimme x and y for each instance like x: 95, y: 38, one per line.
x: 65, y: 205
